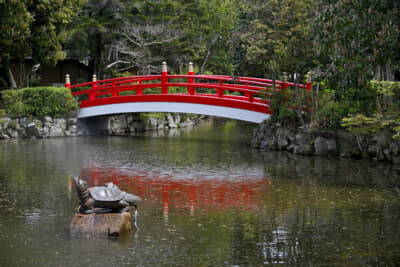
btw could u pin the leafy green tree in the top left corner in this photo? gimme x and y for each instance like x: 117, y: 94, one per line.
x: 34, y: 28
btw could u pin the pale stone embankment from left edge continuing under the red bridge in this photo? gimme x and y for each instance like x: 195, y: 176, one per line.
x: 125, y: 124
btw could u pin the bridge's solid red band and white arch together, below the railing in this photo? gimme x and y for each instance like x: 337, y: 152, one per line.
x: 226, y: 108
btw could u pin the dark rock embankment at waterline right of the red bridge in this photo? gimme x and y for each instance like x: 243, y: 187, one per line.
x: 273, y: 136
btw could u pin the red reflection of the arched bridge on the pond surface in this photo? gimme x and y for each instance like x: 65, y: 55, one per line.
x: 202, y: 194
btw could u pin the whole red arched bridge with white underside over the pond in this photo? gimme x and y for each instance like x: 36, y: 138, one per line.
x: 241, y: 98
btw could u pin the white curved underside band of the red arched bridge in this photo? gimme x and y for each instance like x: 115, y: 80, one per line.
x: 202, y: 109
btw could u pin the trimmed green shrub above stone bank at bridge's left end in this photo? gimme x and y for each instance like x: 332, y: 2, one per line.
x: 39, y: 102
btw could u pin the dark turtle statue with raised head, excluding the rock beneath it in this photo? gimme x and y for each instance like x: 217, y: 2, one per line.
x: 107, y: 198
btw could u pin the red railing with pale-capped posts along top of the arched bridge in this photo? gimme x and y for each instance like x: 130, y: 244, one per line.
x: 247, y: 89
